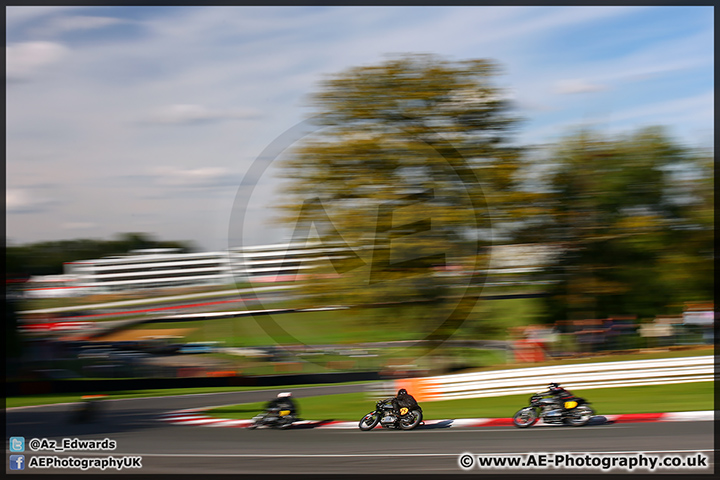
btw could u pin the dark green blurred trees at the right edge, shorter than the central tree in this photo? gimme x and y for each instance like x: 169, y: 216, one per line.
x: 632, y: 215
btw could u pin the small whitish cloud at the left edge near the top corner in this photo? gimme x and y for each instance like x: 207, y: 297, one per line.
x: 23, y: 60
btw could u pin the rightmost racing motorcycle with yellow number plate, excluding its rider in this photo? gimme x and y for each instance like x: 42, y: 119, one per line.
x: 577, y: 412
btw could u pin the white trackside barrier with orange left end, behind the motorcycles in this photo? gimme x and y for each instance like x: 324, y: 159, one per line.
x: 576, y: 376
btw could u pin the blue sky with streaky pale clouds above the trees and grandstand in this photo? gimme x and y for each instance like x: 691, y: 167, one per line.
x: 146, y: 119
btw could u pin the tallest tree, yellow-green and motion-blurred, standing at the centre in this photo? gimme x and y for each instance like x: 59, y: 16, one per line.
x: 411, y: 164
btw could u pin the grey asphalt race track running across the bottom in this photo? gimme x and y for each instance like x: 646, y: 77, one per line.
x: 167, y: 448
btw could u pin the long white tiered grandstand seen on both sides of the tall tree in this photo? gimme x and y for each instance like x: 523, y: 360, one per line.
x: 163, y: 268
